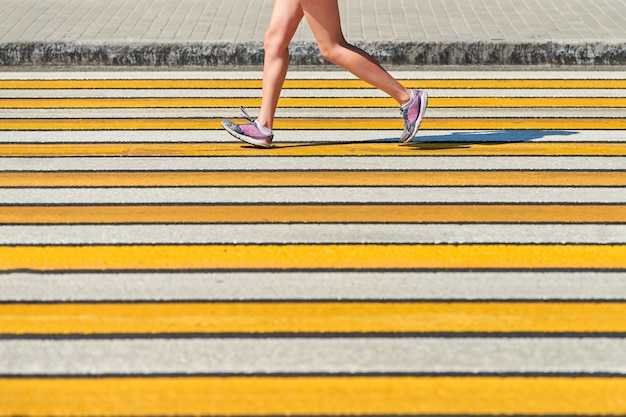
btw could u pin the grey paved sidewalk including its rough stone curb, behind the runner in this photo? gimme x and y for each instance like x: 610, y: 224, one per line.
x: 219, y: 33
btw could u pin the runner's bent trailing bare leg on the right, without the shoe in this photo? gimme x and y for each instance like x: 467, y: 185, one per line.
x: 323, y: 17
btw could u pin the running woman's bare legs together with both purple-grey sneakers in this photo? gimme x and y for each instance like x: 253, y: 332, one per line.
x: 323, y: 17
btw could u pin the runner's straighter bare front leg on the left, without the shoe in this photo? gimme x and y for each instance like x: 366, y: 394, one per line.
x: 286, y: 17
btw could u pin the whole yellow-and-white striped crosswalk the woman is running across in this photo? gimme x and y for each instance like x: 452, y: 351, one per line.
x: 151, y: 266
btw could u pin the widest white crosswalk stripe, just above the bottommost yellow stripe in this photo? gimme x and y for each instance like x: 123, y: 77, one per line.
x: 246, y: 356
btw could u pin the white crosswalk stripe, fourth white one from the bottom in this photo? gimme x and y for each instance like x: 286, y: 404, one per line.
x: 292, y: 195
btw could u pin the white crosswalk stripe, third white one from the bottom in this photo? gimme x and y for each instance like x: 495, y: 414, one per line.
x: 312, y: 234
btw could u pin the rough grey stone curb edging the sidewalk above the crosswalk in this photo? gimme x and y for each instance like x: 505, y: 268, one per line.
x: 227, y: 54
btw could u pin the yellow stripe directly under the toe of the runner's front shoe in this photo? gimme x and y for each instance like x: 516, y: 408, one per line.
x: 306, y: 149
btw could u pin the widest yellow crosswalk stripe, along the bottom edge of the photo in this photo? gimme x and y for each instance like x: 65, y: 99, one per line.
x: 313, y: 396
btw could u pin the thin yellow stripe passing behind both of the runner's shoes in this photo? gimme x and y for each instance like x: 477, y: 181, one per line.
x: 319, y: 124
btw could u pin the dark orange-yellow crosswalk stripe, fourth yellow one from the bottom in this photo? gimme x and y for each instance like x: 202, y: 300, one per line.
x: 314, y: 214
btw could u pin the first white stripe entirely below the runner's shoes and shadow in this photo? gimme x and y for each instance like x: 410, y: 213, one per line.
x: 249, y: 163
